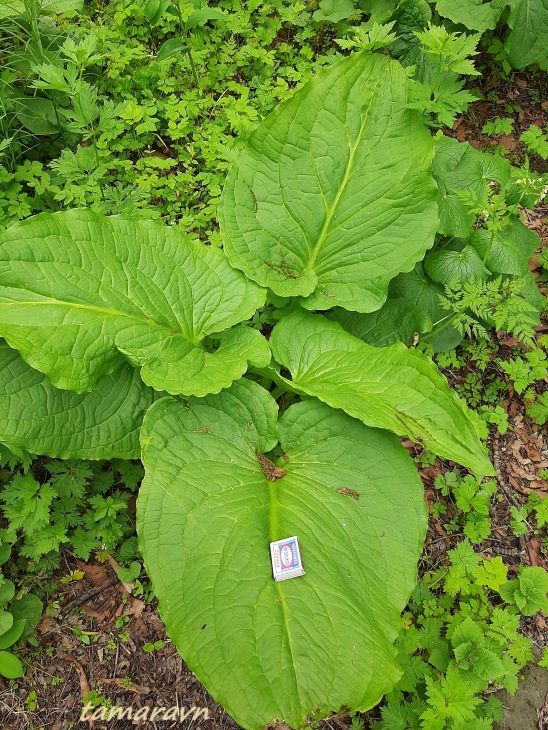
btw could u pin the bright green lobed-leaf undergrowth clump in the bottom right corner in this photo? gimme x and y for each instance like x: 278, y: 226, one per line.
x: 461, y: 638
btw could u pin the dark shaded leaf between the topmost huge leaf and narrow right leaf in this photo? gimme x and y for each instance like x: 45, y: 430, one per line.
x: 397, y: 320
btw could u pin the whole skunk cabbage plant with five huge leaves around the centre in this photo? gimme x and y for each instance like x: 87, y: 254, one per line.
x: 125, y: 338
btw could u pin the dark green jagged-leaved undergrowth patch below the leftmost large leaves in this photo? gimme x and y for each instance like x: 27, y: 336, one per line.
x: 80, y: 505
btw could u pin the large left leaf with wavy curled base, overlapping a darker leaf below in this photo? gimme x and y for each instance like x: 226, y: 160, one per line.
x: 78, y: 289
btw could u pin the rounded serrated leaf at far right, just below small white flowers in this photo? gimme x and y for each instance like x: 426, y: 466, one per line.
x: 508, y: 251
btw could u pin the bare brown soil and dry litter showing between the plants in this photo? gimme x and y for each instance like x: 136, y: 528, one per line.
x: 99, y: 648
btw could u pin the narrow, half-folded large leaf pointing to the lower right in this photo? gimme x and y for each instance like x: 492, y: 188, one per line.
x: 390, y: 387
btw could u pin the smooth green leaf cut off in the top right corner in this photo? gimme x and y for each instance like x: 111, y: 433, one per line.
x: 527, y: 42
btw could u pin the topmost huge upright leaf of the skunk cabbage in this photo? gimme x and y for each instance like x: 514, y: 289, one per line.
x: 329, y: 201
